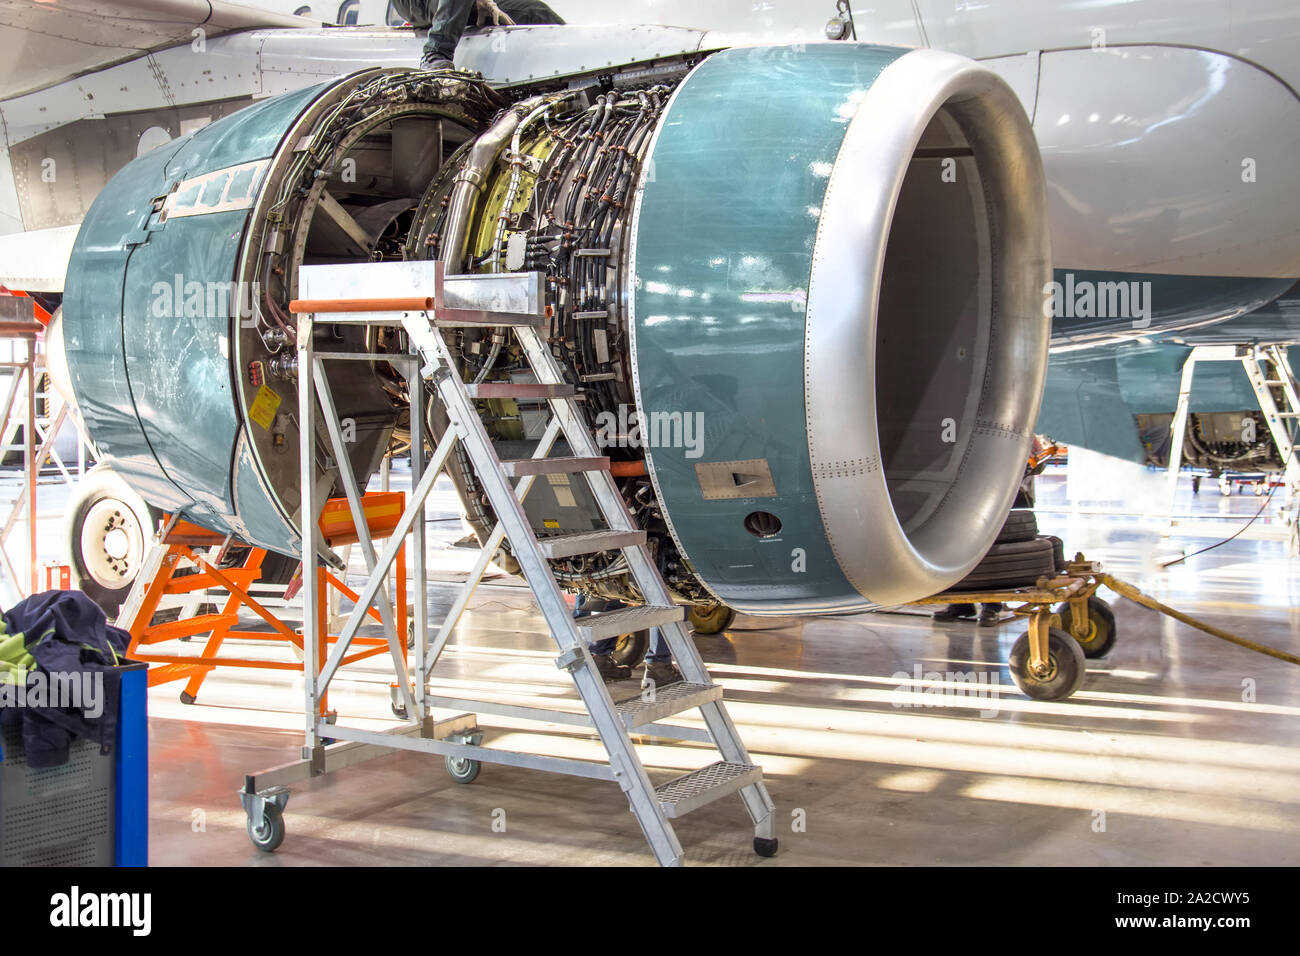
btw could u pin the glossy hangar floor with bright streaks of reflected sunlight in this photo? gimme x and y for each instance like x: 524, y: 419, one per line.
x: 1180, y: 749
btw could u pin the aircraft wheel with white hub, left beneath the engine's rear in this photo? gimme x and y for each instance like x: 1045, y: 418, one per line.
x: 107, y: 533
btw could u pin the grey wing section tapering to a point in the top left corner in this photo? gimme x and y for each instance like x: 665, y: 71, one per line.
x: 50, y: 41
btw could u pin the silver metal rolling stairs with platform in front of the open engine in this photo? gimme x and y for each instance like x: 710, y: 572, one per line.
x: 400, y: 295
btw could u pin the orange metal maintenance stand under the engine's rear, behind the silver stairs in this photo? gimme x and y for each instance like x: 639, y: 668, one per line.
x: 383, y: 512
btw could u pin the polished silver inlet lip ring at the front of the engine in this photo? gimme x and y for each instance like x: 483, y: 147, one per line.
x: 885, y: 563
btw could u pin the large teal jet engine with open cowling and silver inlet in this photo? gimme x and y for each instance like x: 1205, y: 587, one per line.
x: 799, y: 291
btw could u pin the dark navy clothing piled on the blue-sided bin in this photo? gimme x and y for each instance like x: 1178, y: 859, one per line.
x: 68, y: 635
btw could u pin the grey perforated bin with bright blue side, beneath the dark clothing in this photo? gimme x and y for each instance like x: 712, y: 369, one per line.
x: 90, y: 812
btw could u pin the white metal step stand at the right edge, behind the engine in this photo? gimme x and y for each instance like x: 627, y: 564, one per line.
x: 1276, y: 390
